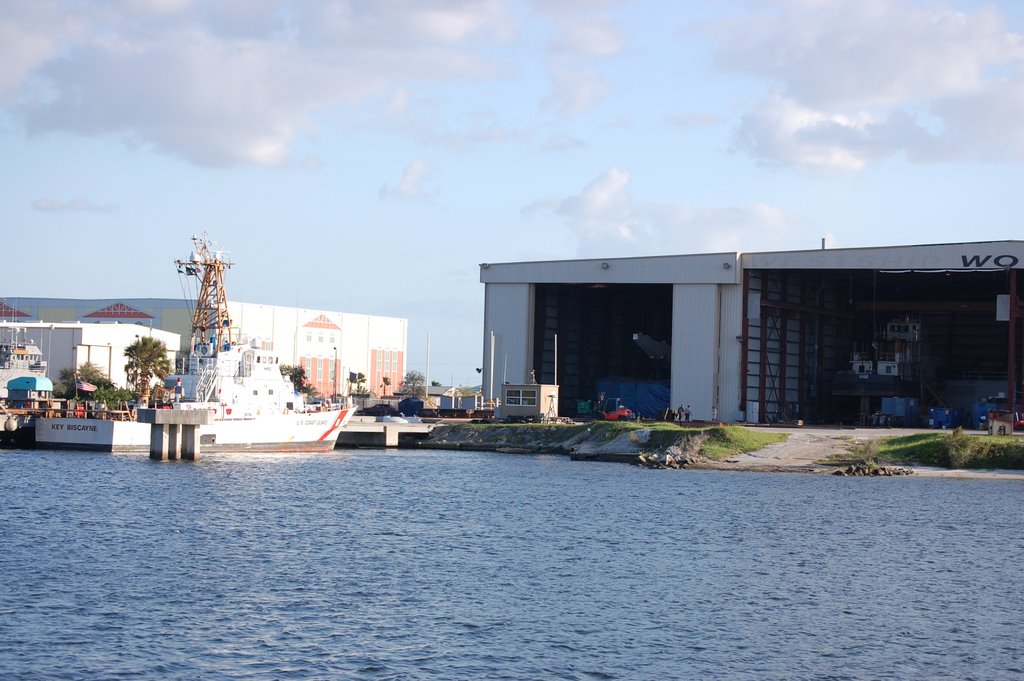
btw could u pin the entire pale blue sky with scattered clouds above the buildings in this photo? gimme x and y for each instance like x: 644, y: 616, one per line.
x: 366, y: 156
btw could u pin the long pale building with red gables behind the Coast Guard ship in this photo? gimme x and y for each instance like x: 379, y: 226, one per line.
x: 328, y: 346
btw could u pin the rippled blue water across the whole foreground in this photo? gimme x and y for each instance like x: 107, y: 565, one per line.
x: 373, y: 565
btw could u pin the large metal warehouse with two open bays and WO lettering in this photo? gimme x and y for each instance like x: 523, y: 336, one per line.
x: 823, y: 336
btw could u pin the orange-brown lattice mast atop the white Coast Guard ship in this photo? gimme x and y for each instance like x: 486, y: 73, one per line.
x: 211, y: 322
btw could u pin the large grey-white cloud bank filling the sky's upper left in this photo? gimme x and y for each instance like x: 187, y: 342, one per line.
x: 230, y: 83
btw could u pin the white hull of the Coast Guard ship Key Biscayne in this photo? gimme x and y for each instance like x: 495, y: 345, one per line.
x: 316, y: 432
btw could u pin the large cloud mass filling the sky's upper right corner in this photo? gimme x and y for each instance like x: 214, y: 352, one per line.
x: 855, y: 81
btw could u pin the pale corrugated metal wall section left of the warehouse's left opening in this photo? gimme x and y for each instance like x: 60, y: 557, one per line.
x: 508, y: 314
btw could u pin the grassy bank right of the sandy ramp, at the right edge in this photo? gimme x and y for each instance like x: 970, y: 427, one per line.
x: 948, y: 450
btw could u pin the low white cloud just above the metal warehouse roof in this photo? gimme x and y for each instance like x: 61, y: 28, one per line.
x: 607, y: 221
